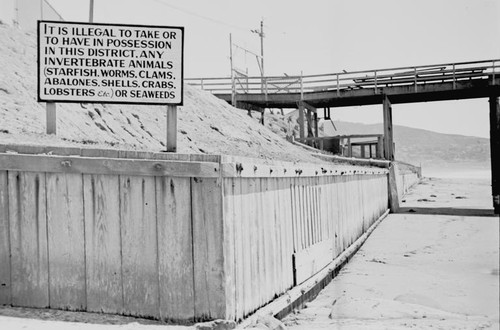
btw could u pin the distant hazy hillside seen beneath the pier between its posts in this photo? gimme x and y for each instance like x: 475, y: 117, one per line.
x: 437, y: 153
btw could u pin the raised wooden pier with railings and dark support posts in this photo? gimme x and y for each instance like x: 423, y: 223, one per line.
x: 310, y: 93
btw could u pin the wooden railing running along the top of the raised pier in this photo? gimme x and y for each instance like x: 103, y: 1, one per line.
x: 299, y: 84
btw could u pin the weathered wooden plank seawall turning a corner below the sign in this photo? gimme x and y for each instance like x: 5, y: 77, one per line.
x: 173, y: 237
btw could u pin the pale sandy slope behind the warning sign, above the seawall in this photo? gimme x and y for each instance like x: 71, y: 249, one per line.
x: 205, y: 123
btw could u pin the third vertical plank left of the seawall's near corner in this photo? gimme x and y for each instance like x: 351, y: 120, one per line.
x: 139, y: 246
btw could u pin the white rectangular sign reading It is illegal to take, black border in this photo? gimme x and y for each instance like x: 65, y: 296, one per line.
x: 108, y: 63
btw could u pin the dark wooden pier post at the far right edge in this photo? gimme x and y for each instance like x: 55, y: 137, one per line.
x: 495, y: 152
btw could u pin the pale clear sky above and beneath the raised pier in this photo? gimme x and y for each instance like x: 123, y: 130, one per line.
x: 327, y: 36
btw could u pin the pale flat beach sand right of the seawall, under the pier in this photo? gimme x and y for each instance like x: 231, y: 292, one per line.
x: 422, y: 271
